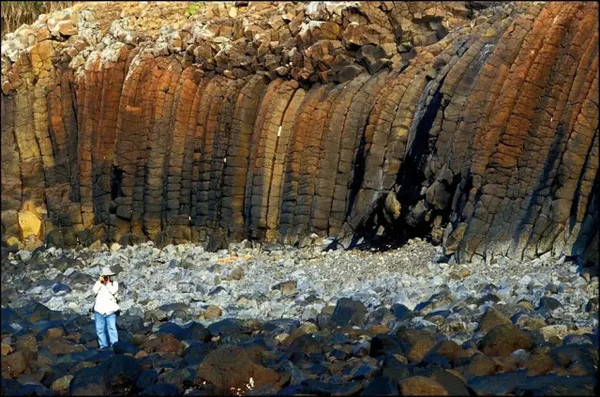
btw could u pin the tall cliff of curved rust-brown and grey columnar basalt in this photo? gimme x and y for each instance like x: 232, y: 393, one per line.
x: 477, y: 127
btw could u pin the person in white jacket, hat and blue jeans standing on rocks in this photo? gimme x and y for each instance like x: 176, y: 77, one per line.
x: 105, y: 308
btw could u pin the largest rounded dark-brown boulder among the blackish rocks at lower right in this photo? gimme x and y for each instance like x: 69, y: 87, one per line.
x: 503, y: 339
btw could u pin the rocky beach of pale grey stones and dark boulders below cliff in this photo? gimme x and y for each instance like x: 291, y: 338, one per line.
x: 265, y: 319
